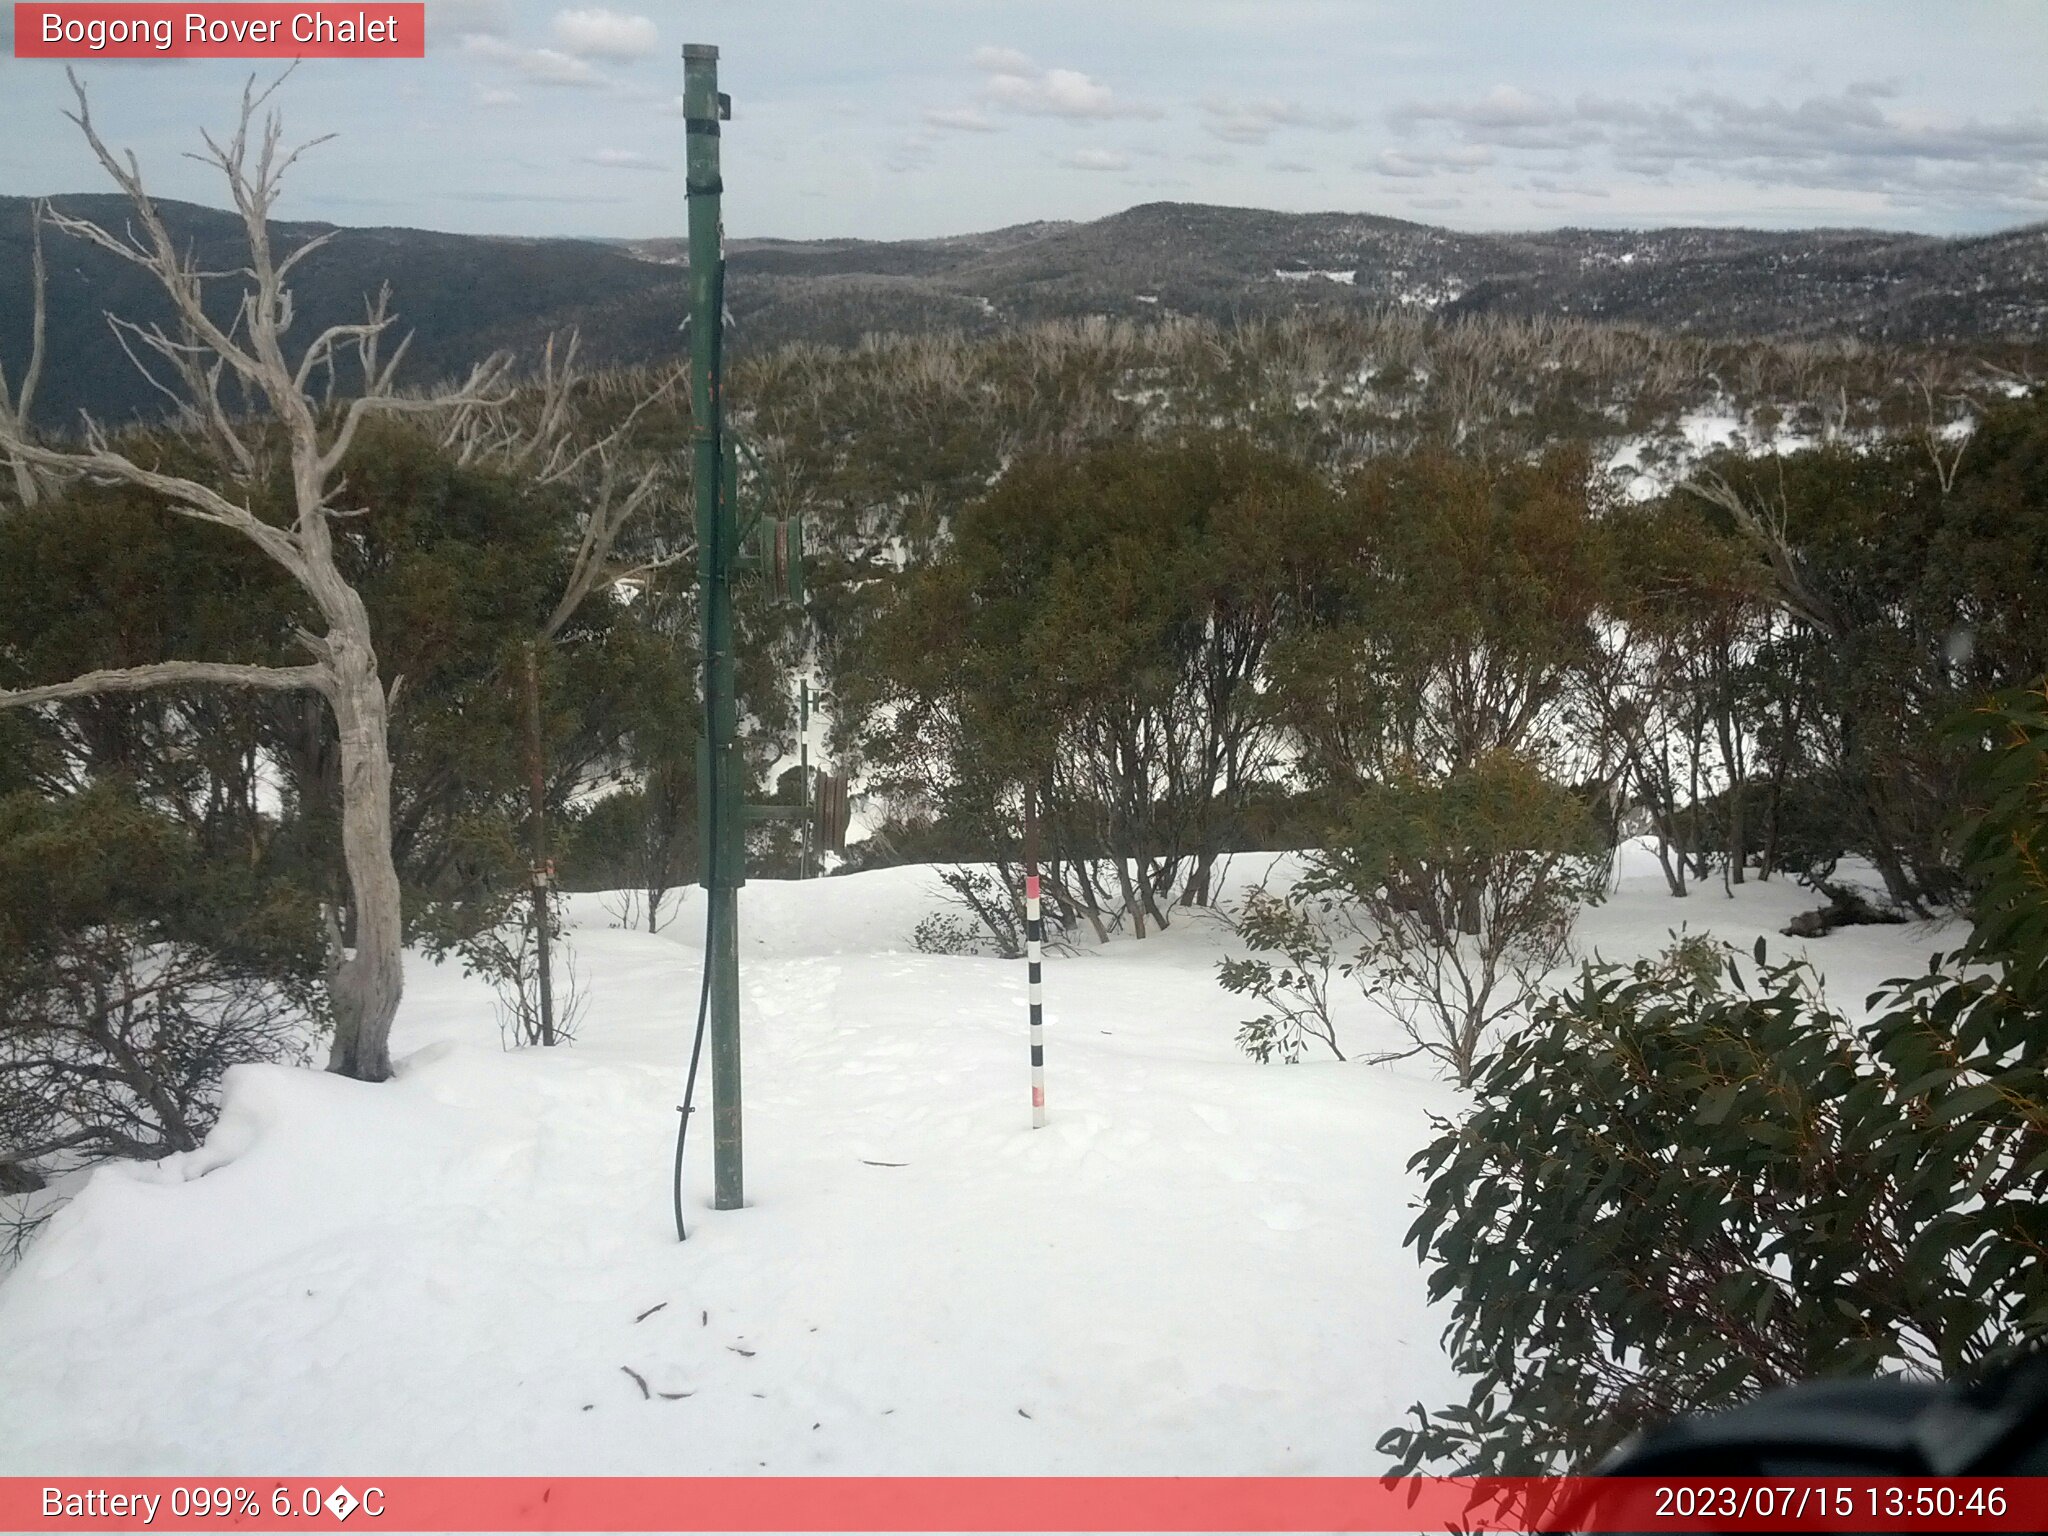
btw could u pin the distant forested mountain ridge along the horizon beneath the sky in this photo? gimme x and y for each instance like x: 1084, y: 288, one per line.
x: 466, y: 296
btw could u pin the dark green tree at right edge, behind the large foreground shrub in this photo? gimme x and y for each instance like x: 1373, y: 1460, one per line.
x: 1916, y: 593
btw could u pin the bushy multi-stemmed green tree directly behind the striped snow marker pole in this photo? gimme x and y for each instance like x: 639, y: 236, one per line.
x: 1099, y: 626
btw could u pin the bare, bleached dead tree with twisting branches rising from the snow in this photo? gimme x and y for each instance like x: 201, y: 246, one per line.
x: 251, y: 349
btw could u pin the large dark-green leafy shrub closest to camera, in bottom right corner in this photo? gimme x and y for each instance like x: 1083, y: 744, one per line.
x: 1682, y: 1187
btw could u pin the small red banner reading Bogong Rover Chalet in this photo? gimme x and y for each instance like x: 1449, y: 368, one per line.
x: 220, y: 32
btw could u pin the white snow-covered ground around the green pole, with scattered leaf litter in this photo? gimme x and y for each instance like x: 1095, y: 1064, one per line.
x: 1195, y: 1269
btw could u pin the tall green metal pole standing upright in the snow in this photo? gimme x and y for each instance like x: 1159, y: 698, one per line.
x: 720, y: 781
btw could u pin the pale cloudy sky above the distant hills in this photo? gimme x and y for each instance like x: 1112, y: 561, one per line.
x: 923, y: 118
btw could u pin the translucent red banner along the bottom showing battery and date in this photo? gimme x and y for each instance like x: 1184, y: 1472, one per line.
x: 1021, y: 1504
